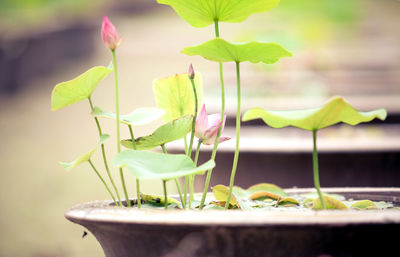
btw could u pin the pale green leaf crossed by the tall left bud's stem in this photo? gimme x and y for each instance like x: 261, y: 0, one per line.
x: 140, y: 116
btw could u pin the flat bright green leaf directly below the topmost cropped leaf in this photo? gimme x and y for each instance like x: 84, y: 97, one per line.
x: 220, y: 50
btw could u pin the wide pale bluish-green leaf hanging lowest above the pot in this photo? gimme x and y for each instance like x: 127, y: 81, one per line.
x: 151, y: 165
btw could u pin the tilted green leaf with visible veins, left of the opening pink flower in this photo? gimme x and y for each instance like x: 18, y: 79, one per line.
x: 169, y: 132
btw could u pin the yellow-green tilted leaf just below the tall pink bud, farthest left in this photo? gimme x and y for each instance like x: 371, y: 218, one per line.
x: 78, y: 89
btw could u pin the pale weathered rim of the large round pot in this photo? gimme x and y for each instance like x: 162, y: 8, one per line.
x: 103, y: 212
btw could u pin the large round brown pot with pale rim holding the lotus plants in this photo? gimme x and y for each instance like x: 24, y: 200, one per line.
x: 124, y: 232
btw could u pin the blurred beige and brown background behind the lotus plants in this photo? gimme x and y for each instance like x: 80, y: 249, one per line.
x: 340, y: 47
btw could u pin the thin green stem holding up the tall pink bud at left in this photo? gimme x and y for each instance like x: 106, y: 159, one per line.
x: 121, y: 174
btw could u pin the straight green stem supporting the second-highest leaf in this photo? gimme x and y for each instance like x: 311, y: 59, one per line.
x: 236, y: 156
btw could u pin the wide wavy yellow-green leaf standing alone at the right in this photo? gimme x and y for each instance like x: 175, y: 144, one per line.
x: 335, y: 111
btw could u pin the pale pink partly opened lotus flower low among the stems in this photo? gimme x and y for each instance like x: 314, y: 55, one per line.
x: 206, y: 128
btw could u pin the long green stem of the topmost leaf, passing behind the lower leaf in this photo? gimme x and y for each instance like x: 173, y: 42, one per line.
x: 214, y: 152
